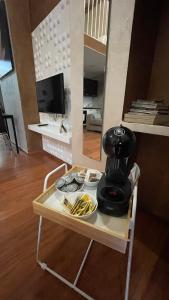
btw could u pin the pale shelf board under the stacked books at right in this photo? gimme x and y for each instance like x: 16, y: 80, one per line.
x: 145, y: 128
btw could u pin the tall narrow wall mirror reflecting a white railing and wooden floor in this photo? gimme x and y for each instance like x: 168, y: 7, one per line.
x: 95, y: 49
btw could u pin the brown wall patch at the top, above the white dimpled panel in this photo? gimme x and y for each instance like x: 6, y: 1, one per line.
x: 39, y: 9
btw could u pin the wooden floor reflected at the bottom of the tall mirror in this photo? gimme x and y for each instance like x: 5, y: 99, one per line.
x: 91, y: 144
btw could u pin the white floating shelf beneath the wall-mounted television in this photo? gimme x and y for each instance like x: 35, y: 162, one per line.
x: 50, y: 132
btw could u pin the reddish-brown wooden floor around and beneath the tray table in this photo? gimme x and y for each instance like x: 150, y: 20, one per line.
x: 21, y: 180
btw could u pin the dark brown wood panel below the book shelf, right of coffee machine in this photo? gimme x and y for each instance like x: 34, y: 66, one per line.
x: 153, y: 159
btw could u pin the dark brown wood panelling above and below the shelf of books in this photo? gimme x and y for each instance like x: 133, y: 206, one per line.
x: 148, y: 75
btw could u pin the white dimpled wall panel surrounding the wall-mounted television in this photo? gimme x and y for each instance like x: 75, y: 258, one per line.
x: 51, y: 48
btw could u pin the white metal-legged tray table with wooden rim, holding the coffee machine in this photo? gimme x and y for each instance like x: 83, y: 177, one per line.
x: 113, y: 232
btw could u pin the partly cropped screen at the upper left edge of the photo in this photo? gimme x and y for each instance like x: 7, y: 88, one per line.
x: 6, y: 62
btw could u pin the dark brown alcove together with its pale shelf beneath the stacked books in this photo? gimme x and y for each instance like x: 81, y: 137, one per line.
x: 148, y: 67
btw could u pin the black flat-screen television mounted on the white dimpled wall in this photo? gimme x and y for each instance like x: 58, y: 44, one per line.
x: 50, y: 94
